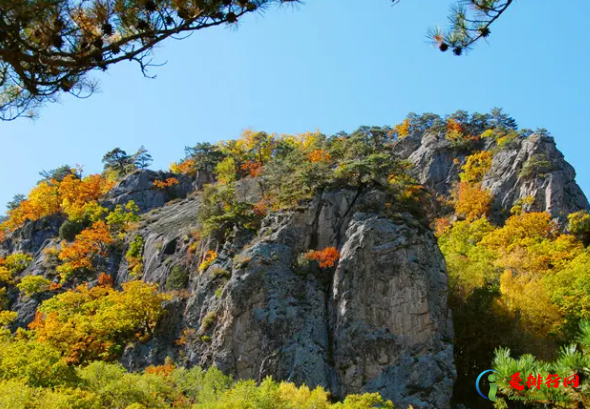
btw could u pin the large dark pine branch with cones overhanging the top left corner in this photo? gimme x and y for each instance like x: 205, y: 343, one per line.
x: 49, y: 46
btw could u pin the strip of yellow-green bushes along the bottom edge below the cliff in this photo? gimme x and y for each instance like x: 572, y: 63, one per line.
x: 109, y: 385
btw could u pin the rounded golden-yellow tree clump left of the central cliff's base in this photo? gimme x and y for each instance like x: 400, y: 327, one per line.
x: 87, y: 324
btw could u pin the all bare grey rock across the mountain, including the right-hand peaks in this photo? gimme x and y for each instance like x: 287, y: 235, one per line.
x: 377, y: 321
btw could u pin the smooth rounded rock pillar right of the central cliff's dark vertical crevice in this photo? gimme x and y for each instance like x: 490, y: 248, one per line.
x: 397, y: 340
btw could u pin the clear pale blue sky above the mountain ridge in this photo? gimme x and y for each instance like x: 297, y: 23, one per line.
x: 330, y: 65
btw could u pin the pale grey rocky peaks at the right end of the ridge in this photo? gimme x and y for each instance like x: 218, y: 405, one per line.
x: 552, y: 185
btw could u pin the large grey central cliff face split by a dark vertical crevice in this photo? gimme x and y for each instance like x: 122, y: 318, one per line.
x: 378, y: 322
